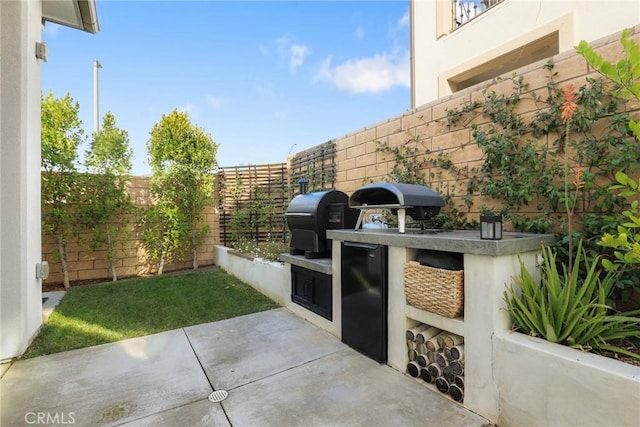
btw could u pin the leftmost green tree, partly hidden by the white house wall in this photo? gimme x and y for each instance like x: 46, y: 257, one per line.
x: 61, y: 136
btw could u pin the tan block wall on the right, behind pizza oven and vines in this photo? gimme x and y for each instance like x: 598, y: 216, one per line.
x: 358, y: 163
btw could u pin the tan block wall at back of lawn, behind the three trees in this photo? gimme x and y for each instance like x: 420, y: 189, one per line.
x: 85, y: 264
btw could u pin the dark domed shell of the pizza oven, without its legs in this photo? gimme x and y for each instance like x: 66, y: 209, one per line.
x: 395, y: 195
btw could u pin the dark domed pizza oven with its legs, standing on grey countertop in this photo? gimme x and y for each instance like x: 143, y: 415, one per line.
x: 417, y: 201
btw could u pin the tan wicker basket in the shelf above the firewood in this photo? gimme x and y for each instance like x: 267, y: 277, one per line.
x: 434, y: 289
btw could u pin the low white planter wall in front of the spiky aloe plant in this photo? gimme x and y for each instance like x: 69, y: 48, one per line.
x: 545, y: 384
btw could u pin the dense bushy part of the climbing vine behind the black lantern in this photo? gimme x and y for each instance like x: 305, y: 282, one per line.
x: 523, y: 158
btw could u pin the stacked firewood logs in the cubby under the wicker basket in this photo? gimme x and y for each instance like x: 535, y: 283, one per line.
x: 437, y: 357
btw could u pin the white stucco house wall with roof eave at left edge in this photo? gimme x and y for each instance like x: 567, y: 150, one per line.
x: 21, y: 24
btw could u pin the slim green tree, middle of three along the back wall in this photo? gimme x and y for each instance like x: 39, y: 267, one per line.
x: 109, y: 161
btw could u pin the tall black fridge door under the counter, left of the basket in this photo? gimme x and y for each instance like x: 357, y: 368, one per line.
x: 364, y: 299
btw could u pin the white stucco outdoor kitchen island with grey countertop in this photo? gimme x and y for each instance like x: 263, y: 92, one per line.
x: 489, y: 266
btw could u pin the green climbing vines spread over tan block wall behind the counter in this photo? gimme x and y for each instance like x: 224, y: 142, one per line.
x: 522, y: 167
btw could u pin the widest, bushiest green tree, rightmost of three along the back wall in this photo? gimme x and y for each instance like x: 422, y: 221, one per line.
x: 183, y: 159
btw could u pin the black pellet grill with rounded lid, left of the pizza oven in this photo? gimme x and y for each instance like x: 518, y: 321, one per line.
x: 310, y: 215
